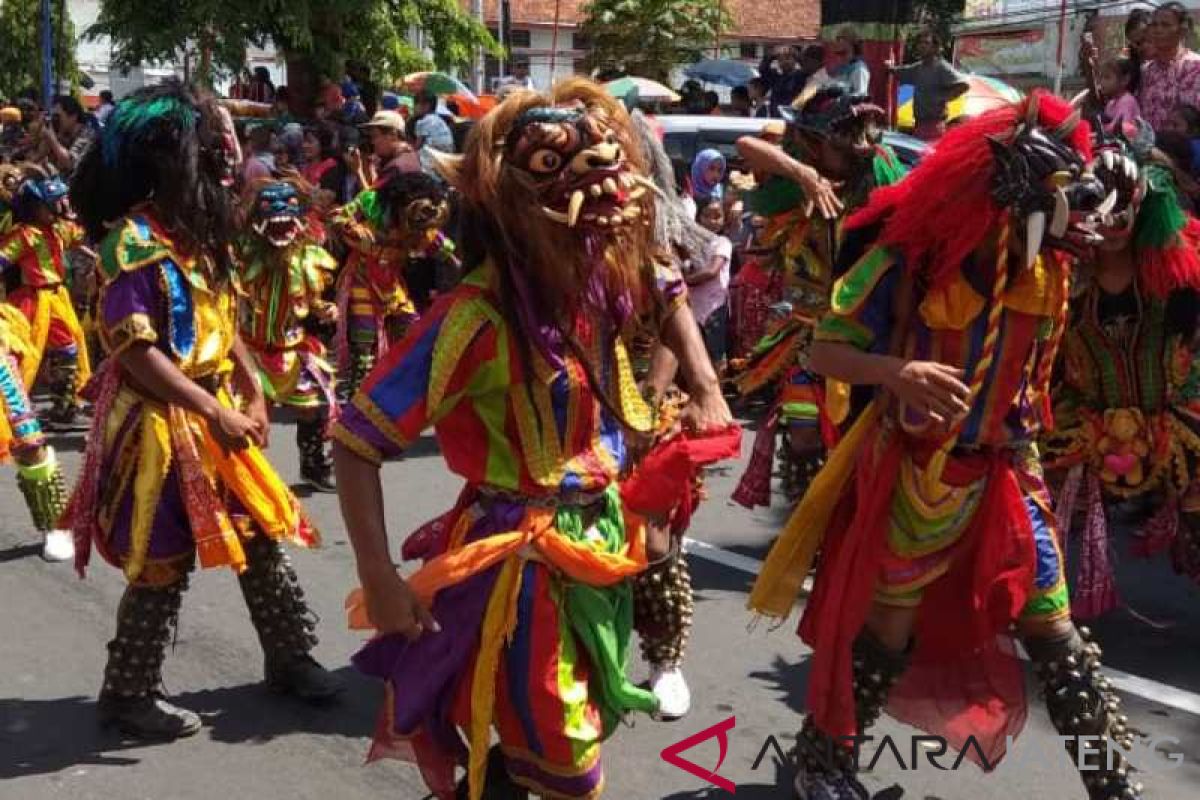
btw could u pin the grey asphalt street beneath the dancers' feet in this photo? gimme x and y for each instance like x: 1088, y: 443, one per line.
x: 55, y: 628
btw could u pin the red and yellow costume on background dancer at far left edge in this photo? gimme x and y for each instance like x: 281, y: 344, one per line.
x: 37, y: 257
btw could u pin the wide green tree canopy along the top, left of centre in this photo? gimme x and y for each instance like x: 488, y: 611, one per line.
x: 322, y: 32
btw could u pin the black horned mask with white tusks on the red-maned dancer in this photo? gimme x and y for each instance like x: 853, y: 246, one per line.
x: 1048, y: 187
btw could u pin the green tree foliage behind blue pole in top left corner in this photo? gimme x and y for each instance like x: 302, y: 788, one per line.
x: 21, y: 57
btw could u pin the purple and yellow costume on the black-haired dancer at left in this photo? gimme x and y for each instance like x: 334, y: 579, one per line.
x: 171, y: 491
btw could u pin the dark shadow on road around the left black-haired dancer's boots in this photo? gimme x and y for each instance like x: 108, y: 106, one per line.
x: 46, y: 737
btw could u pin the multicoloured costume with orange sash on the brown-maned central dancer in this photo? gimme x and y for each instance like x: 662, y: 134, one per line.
x: 529, y: 573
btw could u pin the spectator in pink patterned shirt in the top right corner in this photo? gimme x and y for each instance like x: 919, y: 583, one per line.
x: 1172, y: 75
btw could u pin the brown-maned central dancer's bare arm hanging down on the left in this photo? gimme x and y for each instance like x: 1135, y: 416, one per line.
x: 392, y: 605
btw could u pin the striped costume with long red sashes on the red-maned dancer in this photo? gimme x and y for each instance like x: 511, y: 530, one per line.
x: 903, y: 520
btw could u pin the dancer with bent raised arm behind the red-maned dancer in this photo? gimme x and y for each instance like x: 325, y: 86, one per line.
x: 830, y: 161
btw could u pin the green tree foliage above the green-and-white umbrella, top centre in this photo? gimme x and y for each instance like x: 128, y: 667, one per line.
x: 651, y: 38
